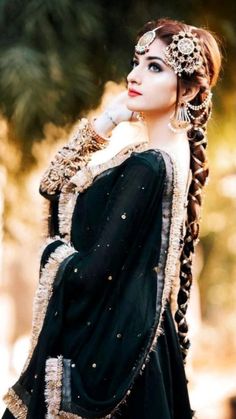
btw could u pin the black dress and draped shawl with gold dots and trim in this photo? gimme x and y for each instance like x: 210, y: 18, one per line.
x: 105, y: 344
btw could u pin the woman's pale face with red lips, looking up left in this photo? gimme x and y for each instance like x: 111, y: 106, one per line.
x: 152, y: 84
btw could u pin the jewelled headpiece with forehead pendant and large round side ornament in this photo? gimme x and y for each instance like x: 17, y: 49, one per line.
x: 183, y: 54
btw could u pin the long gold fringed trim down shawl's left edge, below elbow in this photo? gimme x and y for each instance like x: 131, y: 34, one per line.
x: 44, y: 291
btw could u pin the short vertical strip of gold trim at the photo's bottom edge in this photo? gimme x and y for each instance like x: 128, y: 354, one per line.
x: 53, y: 378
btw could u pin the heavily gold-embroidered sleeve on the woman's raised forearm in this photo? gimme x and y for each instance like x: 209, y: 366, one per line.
x: 70, y: 158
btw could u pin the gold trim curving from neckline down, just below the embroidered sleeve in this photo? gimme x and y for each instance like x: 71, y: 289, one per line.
x: 82, y: 180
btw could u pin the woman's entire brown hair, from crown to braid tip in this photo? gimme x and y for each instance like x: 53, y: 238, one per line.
x: 204, y: 78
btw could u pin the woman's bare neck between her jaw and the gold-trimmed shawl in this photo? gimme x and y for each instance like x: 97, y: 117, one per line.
x: 159, y: 134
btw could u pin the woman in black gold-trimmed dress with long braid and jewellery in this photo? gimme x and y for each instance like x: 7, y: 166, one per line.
x: 121, y: 238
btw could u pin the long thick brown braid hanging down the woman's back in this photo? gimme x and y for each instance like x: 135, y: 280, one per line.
x: 199, y: 168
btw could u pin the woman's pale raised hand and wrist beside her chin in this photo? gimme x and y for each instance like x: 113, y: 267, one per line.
x: 115, y: 113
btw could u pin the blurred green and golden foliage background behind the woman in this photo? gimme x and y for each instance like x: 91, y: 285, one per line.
x: 56, y: 57
